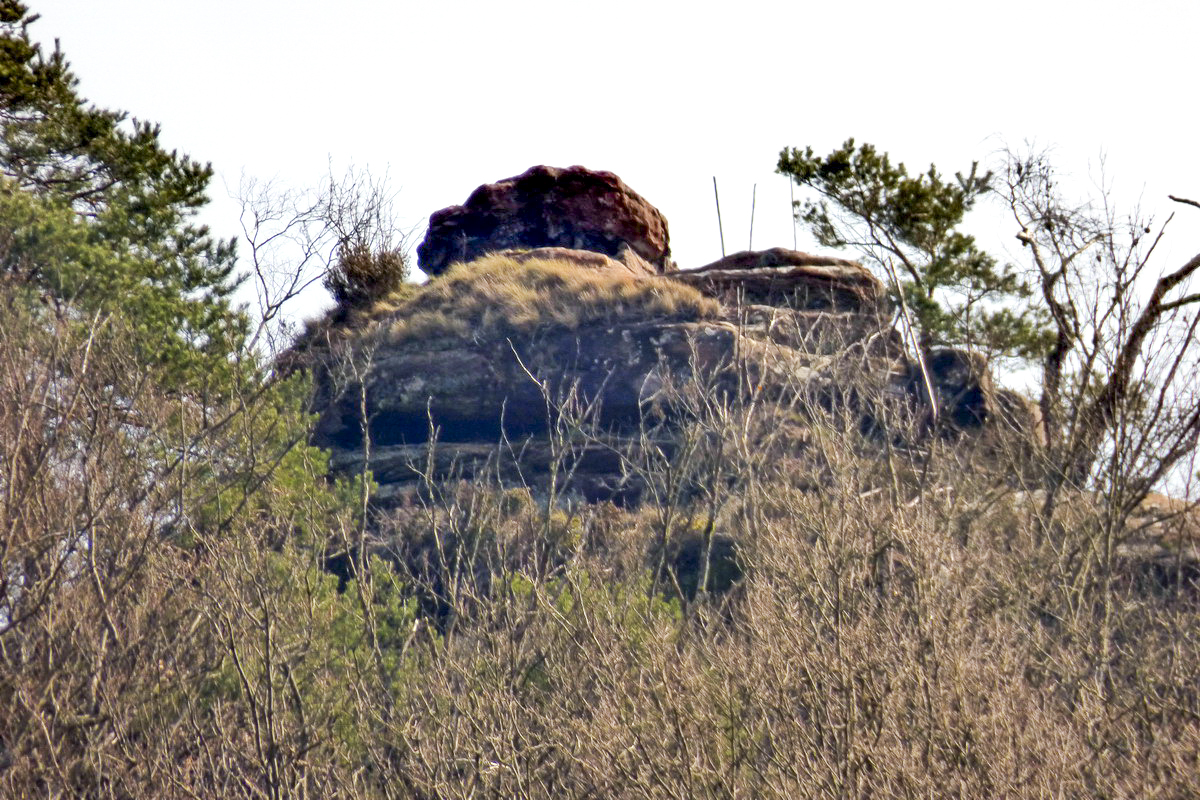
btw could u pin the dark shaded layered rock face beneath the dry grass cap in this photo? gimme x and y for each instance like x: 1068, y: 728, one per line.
x: 471, y: 395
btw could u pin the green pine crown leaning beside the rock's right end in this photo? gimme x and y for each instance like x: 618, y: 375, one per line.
x: 910, y: 227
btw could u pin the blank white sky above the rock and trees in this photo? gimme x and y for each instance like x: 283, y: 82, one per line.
x: 446, y: 97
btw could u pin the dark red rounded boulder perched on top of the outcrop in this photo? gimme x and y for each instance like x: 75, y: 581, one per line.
x: 549, y: 207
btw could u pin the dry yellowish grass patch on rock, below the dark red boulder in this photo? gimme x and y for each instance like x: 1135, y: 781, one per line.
x: 497, y: 297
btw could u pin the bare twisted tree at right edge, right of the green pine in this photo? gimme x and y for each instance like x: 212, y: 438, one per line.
x: 1123, y: 341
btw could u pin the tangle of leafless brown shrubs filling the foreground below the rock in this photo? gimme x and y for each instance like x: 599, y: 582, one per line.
x: 905, y: 619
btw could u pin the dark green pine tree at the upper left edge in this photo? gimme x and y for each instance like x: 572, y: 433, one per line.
x: 130, y: 196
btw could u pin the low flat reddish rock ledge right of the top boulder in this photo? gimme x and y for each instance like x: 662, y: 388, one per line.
x: 782, y: 276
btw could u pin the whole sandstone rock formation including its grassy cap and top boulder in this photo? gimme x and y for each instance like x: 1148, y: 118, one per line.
x: 577, y: 303
